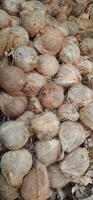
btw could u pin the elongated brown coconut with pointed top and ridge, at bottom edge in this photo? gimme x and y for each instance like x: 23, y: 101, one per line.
x: 36, y: 184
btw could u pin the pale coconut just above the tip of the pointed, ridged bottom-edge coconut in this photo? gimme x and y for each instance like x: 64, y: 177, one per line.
x: 48, y: 152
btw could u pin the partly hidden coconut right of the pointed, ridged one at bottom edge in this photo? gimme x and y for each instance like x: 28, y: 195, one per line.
x: 56, y: 177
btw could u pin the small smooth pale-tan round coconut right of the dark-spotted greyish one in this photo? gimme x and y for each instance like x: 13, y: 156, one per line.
x: 48, y: 65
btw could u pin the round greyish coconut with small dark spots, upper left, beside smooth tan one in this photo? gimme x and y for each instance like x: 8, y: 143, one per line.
x: 26, y: 58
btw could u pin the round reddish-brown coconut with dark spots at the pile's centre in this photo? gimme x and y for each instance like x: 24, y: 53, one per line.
x: 51, y: 95
